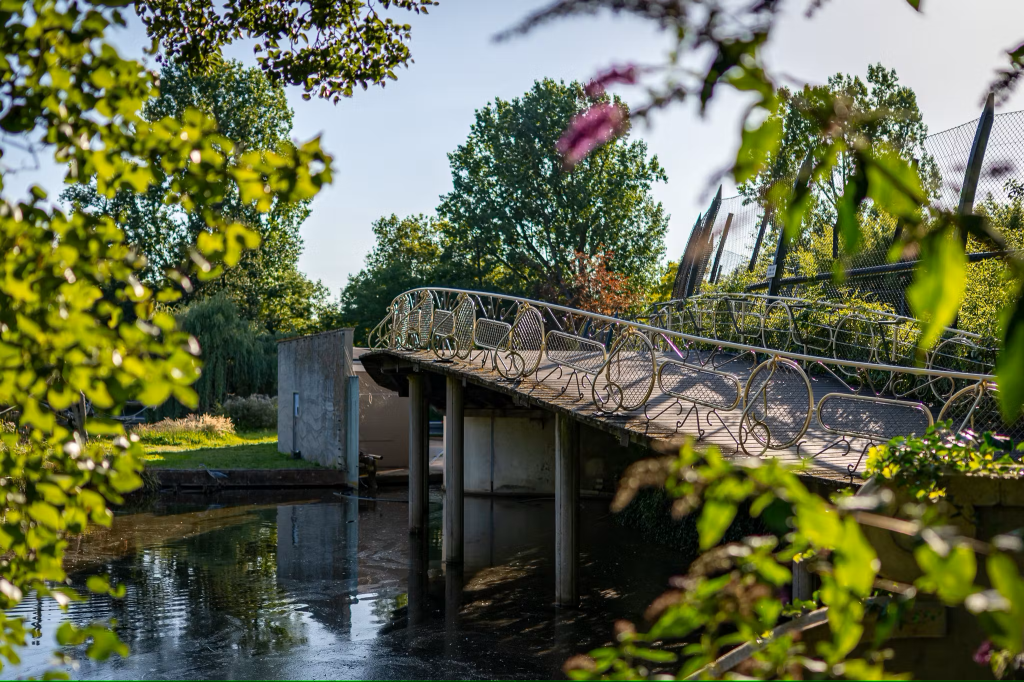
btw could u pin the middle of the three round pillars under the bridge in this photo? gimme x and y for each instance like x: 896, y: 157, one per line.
x: 454, y: 461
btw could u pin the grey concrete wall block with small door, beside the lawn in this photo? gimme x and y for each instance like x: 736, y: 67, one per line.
x: 317, y: 368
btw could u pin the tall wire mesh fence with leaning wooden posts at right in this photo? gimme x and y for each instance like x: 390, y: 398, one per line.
x: 734, y: 246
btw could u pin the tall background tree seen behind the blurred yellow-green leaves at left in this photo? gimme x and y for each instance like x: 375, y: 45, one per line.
x: 251, y: 111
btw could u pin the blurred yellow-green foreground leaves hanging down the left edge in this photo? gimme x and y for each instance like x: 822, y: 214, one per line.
x: 65, y: 280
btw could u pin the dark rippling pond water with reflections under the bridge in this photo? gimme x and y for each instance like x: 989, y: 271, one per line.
x: 317, y: 585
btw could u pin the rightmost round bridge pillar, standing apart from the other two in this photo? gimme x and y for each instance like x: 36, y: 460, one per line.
x: 567, y: 510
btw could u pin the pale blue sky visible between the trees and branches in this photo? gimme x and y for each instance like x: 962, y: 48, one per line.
x: 391, y: 145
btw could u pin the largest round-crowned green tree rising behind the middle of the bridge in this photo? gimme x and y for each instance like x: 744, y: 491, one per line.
x: 517, y: 221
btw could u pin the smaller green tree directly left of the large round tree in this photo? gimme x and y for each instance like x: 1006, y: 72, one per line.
x: 406, y: 255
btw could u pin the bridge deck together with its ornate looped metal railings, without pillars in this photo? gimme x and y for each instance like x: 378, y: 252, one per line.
x: 750, y: 355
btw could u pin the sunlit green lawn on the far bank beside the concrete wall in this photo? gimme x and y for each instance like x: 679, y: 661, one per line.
x: 253, y: 450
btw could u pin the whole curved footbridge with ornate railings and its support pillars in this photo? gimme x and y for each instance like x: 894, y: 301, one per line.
x: 757, y: 375
